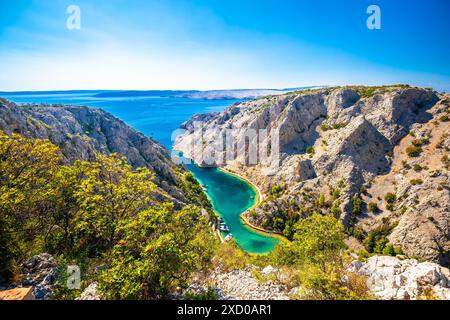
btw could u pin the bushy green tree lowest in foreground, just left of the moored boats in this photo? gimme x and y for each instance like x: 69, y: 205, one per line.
x: 157, y: 252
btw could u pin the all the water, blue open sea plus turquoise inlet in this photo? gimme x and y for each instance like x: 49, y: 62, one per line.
x: 159, y: 117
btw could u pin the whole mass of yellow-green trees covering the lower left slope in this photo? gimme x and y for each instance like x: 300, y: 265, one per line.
x: 92, y: 213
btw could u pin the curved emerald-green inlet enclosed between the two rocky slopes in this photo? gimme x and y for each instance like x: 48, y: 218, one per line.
x: 231, y: 196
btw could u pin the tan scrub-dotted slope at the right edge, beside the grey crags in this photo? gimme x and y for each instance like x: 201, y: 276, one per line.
x: 419, y: 178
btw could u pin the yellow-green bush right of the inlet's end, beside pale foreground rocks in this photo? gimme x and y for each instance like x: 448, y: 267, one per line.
x: 317, y: 253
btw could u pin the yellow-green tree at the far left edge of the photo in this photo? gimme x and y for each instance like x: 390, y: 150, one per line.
x: 27, y: 167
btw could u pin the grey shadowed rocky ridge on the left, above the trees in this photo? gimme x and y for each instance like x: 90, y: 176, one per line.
x: 81, y: 132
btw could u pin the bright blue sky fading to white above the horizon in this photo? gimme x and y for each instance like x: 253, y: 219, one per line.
x: 222, y: 44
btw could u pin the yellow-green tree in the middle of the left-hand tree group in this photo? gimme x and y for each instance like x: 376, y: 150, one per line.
x: 110, y: 190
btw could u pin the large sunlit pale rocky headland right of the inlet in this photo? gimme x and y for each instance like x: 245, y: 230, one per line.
x: 332, y: 144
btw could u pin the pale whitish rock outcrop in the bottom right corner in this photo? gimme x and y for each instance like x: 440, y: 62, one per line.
x: 390, y: 278
